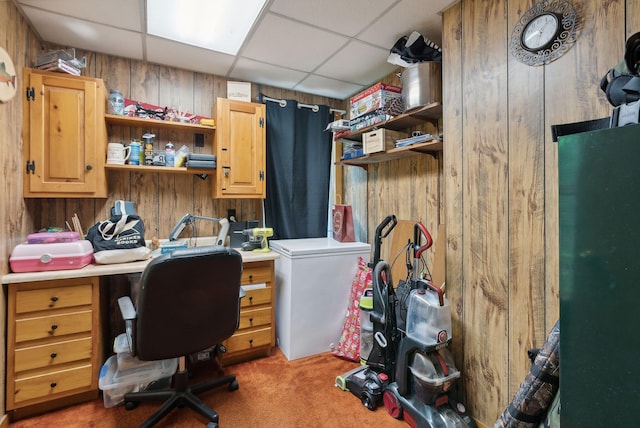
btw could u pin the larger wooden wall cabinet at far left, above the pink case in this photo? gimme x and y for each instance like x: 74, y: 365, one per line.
x: 64, y: 136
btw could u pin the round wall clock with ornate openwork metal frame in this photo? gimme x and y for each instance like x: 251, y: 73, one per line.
x: 544, y: 33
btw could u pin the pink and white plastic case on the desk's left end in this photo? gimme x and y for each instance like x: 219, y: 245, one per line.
x: 56, y: 256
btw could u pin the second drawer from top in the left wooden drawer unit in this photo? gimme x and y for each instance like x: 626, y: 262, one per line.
x: 53, y: 326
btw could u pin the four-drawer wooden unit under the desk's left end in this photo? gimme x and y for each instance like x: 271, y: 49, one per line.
x: 54, y: 349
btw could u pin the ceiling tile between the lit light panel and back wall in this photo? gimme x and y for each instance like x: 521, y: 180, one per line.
x: 187, y: 57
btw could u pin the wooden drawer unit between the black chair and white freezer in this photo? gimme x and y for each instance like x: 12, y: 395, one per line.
x: 255, y: 336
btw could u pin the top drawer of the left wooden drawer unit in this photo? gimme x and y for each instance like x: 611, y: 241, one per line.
x: 50, y: 298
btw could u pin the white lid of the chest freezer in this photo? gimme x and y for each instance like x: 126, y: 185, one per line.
x: 316, y: 246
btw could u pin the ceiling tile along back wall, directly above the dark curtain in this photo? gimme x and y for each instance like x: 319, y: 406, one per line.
x: 266, y: 74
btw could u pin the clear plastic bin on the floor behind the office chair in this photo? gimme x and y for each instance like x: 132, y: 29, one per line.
x: 115, y: 383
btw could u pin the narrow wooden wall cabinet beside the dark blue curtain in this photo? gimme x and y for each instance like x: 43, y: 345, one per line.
x: 240, y: 149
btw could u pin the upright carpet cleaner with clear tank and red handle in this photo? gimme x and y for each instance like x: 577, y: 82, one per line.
x: 424, y: 369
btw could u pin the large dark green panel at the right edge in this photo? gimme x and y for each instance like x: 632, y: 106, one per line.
x: 599, y: 203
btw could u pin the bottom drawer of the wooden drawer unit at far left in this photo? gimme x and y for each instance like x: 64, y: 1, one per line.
x: 53, y: 383
